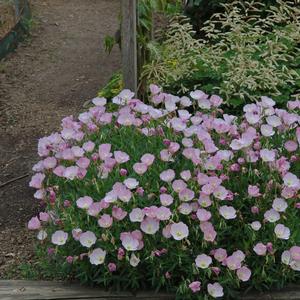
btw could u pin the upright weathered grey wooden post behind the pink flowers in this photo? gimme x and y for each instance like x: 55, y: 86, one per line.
x: 129, y: 44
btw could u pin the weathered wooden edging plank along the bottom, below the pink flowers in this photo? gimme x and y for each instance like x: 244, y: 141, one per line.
x: 44, y: 290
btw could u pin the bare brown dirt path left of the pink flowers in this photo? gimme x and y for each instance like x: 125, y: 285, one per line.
x: 60, y: 66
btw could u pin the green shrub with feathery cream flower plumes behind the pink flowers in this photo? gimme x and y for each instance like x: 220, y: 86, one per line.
x: 247, y: 52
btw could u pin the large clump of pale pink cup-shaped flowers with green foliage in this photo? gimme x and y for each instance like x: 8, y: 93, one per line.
x: 173, y: 195
